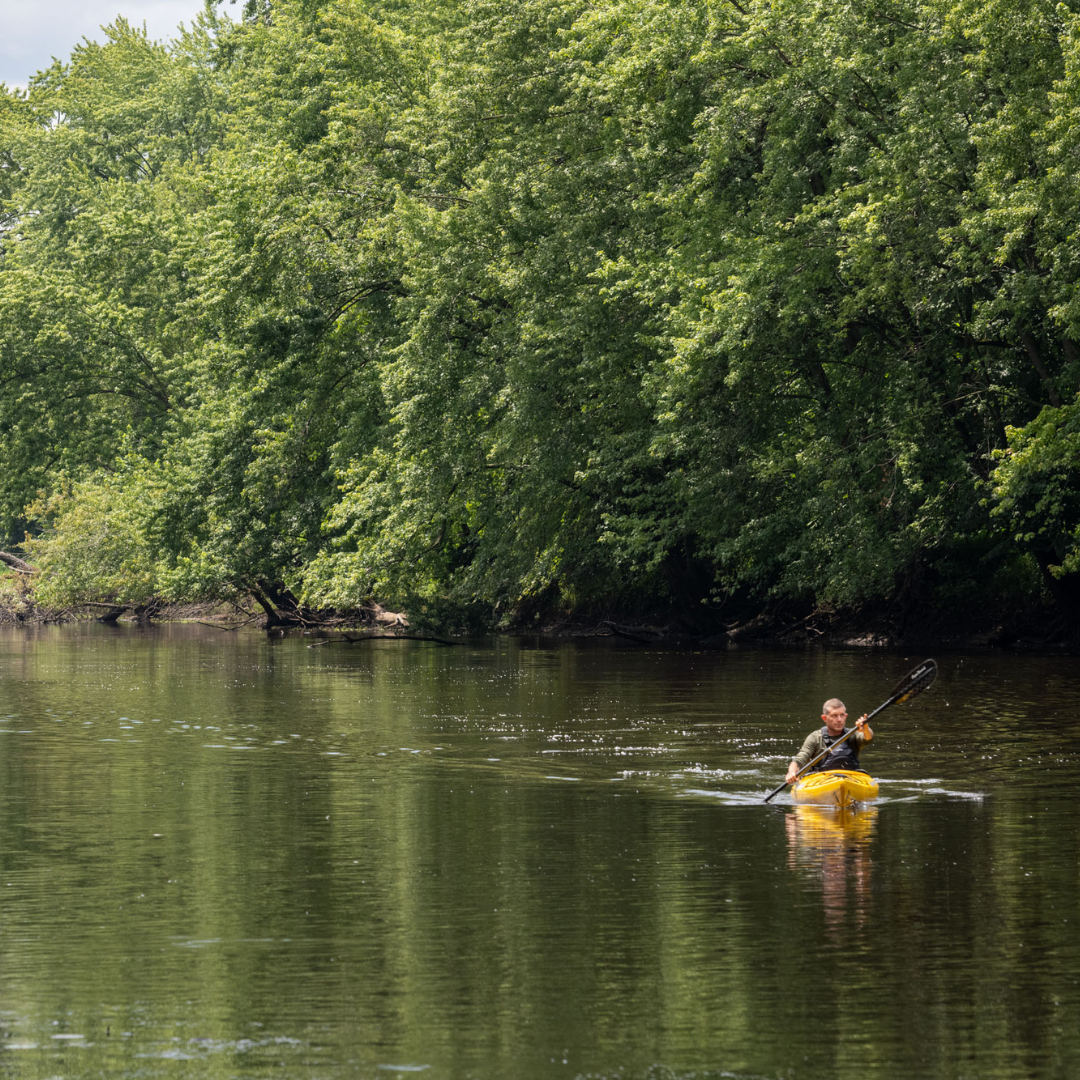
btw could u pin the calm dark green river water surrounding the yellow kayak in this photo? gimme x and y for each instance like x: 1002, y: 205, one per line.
x: 232, y: 856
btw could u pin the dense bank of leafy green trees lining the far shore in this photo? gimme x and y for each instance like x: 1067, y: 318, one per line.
x: 719, y: 323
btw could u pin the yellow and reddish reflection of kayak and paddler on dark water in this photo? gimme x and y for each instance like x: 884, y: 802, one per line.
x: 835, y: 844
